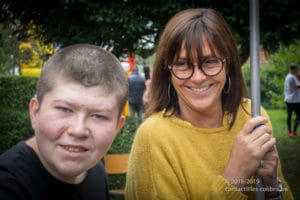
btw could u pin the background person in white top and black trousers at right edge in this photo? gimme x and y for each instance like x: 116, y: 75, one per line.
x: 292, y: 99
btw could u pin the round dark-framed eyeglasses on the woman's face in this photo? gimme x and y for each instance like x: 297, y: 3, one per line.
x: 210, y: 66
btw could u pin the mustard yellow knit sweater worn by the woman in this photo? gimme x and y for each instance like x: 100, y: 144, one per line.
x: 171, y: 159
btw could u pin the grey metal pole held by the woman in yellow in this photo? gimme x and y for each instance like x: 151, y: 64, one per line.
x: 255, y: 78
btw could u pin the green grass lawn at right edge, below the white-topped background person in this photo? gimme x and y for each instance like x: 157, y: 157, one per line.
x: 288, y: 149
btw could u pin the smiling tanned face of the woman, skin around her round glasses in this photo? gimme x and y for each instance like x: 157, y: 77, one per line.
x: 199, y: 93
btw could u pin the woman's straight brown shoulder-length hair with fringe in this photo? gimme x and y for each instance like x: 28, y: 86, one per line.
x: 193, y: 28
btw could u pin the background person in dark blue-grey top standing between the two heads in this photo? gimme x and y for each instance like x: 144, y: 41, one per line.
x: 136, y: 90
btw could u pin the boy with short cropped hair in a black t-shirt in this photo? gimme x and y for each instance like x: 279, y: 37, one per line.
x: 75, y: 115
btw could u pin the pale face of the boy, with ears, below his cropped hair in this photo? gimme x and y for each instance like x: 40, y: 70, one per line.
x: 74, y: 128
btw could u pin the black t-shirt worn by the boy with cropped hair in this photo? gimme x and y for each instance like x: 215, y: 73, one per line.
x: 22, y: 176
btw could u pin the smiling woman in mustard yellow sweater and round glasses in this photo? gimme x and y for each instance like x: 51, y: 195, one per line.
x: 200, y: 141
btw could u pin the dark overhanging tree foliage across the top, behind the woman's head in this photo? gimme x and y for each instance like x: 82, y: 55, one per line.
x: 132, y: 25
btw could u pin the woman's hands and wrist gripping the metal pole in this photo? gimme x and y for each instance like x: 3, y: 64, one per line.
x: 253, y: 144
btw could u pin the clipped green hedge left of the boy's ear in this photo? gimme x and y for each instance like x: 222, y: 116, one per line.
x: 15, y: 94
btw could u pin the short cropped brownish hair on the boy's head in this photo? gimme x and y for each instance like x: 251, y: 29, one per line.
x: 88, y: 65
